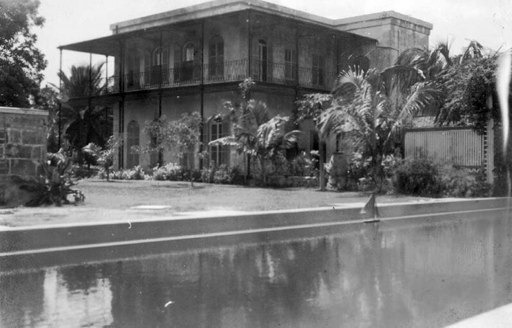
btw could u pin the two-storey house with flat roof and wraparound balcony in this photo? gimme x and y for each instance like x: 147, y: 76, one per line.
x: 193, y: 60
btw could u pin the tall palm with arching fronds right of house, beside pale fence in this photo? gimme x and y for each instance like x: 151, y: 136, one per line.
x: 364, y: 108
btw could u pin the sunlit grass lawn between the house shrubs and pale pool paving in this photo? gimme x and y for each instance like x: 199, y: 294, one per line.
x: 120, y: 194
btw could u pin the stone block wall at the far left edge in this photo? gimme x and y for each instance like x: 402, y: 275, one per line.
x: 22, y: 148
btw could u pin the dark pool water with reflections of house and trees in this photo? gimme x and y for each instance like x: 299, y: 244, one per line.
x: 421, y: 275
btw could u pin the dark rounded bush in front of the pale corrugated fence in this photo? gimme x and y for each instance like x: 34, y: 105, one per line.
x: 417, y: 177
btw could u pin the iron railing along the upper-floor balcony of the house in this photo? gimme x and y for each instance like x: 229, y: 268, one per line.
x: 189, y: 74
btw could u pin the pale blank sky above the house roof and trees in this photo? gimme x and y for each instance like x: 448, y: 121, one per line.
x: 455, y: 21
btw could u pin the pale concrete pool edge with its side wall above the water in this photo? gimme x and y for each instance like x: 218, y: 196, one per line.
x: 149, y: 229
